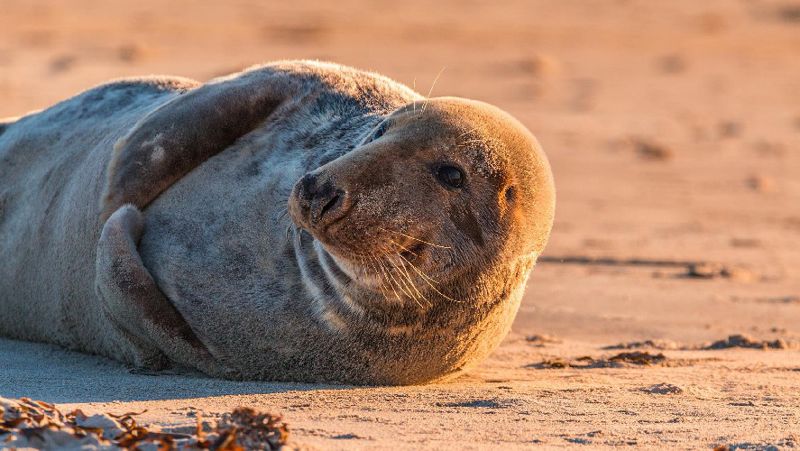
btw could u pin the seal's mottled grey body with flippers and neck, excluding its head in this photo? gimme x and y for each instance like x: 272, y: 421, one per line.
x: 195, y: 262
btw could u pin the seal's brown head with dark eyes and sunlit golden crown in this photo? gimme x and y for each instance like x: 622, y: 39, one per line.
x: 436, y: 190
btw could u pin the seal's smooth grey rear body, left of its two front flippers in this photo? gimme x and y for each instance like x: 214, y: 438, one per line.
x: 52, y: 173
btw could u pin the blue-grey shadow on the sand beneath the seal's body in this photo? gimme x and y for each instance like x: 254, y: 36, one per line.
x: 53, y: 374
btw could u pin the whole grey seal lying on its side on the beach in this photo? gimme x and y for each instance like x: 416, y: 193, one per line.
x: 298, y: 221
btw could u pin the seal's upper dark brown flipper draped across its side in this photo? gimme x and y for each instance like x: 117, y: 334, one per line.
x: 181, y: 134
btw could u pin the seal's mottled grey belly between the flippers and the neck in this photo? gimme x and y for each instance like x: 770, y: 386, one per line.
x: 218, y: 244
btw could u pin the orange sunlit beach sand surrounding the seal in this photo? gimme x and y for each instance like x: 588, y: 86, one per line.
x: 673, y: 129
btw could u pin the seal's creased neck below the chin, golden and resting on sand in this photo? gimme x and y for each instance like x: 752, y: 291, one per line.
x: 410, y: 343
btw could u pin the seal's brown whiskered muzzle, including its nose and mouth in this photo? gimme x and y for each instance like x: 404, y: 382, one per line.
x: 375, y: 236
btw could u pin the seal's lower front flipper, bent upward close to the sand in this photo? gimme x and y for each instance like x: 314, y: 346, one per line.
x: 148, y: 325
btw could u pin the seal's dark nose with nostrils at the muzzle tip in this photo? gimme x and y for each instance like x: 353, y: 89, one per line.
x: 321, y: 201
